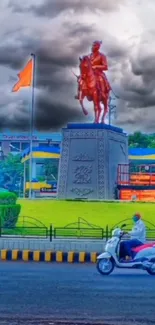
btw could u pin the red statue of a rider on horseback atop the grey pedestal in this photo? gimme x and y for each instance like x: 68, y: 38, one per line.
x: 93, y: 83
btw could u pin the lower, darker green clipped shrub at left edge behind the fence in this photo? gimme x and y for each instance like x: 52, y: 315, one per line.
x: 9, y: 215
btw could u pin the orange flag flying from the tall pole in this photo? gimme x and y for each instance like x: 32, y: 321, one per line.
x: 25, y: 77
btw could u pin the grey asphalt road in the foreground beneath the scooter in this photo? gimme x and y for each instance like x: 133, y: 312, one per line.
x: 62, y: 291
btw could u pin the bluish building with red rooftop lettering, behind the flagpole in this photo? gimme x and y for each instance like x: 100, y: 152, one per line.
x: 17, y: 142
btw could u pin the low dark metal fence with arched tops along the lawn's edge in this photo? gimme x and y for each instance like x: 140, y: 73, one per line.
x: 75, y: 231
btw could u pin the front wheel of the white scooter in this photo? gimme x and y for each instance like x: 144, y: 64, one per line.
x: 105, y: 266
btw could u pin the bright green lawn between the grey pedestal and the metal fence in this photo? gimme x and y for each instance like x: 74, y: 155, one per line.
x: 61, y: 213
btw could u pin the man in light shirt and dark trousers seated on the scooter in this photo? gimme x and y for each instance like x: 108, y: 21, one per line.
x: 138, y: 237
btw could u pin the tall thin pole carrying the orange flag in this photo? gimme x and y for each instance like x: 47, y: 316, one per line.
x: 31, y: 127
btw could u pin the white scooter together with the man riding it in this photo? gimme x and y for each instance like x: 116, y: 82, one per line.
x: 140, y: 255
